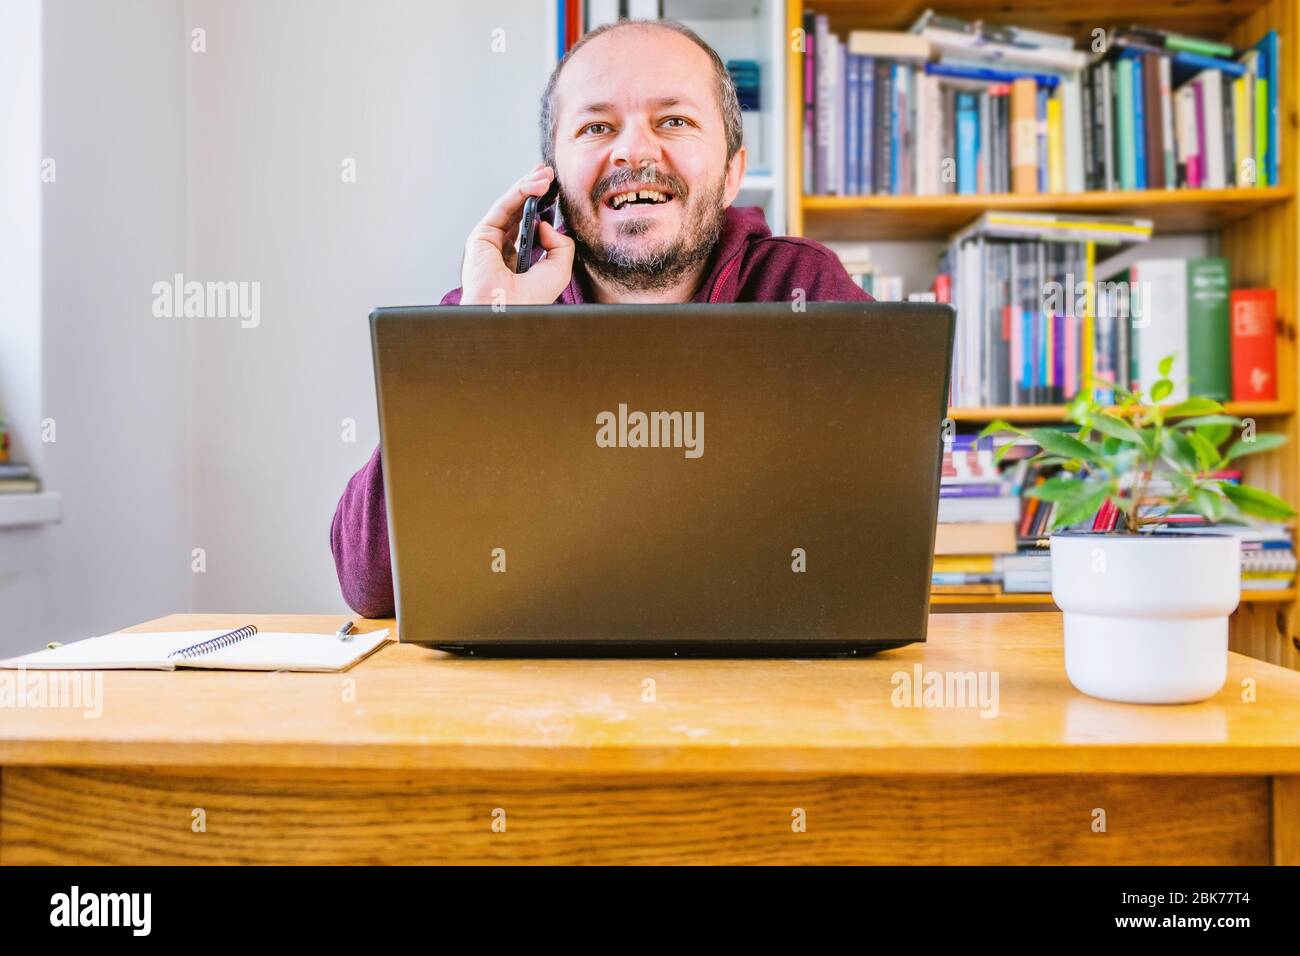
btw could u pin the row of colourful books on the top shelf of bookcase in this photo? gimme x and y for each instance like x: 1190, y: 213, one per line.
x: 969, y: 107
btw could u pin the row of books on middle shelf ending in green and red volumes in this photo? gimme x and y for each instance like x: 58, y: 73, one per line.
x: 1039, y: 317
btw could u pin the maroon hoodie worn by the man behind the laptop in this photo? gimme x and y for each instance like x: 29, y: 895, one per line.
x: 748, y: 265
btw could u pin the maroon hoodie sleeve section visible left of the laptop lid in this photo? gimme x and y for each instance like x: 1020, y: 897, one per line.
x: 359, y: 539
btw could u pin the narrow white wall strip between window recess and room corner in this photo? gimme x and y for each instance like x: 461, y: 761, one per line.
x: 114, y: 377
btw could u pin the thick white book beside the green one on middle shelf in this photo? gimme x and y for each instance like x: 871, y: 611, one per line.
x: 1159, y: 315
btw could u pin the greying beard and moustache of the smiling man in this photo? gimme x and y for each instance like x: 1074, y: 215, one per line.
x: 647, y: 269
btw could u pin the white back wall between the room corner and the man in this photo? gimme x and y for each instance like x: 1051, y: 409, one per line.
x: 439, y: 127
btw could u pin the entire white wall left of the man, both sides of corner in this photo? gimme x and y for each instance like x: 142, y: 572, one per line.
x: 183, y: 434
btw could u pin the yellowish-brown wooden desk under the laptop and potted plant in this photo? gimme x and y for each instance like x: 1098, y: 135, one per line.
x: 408, y: 758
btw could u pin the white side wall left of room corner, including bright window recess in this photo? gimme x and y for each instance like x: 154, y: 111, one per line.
x: 96, y: 88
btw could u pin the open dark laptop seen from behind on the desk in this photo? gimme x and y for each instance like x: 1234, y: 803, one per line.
x: 657, y: 481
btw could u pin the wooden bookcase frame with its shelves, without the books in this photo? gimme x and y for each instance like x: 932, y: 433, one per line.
x: 1256, y: 228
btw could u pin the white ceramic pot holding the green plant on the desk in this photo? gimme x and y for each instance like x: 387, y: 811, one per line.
x: 1146, y: 617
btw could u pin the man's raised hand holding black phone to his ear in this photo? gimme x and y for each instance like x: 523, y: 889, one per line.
x: 492, y: 258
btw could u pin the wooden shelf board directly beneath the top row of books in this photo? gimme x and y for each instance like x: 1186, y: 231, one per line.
x: 935, y: 218
